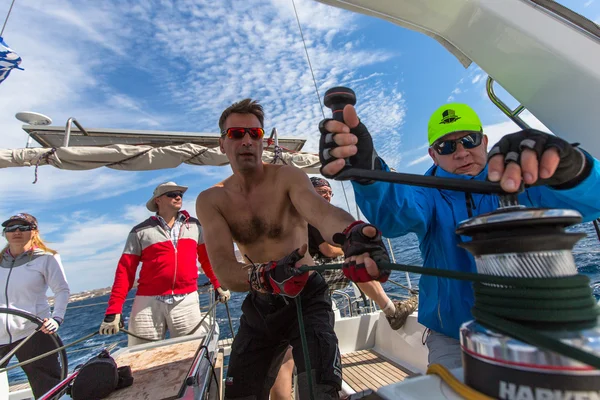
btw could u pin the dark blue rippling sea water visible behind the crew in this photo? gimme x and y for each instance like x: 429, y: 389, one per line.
x: 81, y: 321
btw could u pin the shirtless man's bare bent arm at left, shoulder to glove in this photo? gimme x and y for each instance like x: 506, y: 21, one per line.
x: 219, y: 244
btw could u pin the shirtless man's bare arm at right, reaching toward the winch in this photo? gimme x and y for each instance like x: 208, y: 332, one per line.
x: 327, y: 218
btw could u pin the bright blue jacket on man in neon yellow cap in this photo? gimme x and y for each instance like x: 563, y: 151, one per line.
x: 444, y: 304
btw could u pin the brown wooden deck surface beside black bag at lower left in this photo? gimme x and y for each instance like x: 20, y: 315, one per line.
x: 158, y: 373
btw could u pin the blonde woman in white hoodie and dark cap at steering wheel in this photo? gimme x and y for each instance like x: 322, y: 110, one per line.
x: 27, y: 269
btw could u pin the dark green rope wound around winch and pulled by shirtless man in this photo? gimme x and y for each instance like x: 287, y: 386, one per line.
x: 523, y: 308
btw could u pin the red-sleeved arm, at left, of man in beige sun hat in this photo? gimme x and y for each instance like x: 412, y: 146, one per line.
x: 125, y: 274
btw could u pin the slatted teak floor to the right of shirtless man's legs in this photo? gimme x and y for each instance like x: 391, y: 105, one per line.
x: 366, y: 369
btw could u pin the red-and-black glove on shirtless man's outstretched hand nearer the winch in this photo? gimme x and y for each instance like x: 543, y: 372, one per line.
x: 354, y: 243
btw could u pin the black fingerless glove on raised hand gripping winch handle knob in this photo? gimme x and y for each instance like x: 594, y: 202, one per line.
x: 365, y: 157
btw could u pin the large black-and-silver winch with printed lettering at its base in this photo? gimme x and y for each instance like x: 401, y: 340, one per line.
x: 520, y: 242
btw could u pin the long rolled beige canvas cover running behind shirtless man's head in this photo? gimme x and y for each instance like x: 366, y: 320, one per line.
x: 140, y: 157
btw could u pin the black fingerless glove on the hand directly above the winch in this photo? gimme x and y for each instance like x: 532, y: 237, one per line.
x: 573, y: 167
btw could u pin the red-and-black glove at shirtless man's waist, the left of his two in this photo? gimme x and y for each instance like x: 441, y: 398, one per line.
x: 279, y: 277
